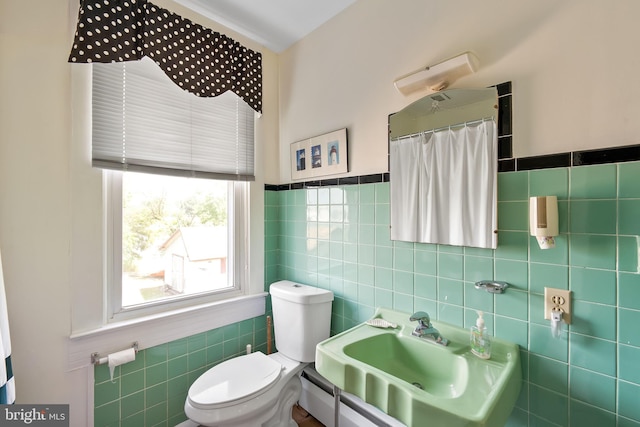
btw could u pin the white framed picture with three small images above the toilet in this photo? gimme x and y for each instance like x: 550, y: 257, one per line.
x: 320, y: 156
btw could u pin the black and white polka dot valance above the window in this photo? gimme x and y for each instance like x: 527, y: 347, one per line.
x: 199, y: 60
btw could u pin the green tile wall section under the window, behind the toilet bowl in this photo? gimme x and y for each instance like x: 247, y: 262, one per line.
x: 151, y: 391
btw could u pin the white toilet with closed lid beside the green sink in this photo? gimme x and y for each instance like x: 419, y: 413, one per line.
x: 259, y: 390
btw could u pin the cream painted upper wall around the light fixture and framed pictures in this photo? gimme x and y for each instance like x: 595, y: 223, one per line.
x: 572, y: 63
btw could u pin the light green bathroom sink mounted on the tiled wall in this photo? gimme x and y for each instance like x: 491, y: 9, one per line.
x: 416, y: 380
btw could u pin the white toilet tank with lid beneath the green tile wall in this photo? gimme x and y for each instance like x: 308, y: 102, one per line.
x: 301, y: 318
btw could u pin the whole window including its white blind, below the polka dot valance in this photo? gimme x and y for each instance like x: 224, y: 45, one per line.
x: 176, y: 189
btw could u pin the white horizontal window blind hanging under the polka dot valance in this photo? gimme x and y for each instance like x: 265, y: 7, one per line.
x: 144, y: 122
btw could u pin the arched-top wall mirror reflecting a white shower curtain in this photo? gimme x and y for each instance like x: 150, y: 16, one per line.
x: 443, y: 169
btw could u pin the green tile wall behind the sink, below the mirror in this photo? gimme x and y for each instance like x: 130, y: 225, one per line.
x: 337, y: 238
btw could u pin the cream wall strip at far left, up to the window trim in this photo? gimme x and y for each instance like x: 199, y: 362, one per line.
x: 34, y: 194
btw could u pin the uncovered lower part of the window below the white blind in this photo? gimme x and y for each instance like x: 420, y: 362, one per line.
x: 174, y: 240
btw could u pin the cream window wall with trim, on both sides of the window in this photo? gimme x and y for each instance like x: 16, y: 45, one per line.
x: 50, y: 197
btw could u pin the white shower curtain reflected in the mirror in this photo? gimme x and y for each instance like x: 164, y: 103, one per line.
x: 444, y: 186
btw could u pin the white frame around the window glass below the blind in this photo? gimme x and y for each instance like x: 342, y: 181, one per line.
x: 238, y: 264
